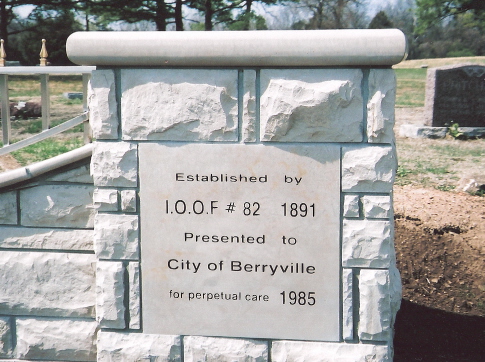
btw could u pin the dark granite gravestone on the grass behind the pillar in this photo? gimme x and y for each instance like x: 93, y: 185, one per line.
x: 455, y: 94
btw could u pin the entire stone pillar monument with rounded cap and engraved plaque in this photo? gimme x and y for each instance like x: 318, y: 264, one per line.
x: 243, y: 186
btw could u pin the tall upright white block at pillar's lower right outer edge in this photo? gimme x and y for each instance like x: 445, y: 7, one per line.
x: 375, y: 314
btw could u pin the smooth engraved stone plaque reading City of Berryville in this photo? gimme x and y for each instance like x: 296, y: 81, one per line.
x: 241, y: 240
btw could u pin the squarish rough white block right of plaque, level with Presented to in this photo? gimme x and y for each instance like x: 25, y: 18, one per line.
x: 366, y: 243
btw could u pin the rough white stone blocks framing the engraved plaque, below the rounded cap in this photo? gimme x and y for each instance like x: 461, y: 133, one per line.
x: 353, y: 108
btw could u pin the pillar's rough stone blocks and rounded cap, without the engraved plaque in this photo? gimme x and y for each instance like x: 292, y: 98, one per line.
x: 261, y: 92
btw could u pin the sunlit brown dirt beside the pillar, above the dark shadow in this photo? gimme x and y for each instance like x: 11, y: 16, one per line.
x: 440, y: 249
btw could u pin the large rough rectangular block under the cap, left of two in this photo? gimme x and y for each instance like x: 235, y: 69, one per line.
x: 179, y: 104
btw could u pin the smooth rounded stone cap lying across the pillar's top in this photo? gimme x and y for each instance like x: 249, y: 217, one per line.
x: 238, y: 48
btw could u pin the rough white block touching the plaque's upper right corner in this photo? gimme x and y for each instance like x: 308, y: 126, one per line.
x: 368, y: 168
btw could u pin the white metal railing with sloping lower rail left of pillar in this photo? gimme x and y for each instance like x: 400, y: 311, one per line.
x: 43, y: 72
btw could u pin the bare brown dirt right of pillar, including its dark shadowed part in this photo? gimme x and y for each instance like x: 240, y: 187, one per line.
x: 440, y: 247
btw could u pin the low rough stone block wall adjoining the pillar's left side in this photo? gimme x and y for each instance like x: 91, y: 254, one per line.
x: 47, y: 268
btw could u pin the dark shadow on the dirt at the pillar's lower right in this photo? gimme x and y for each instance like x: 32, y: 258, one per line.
x: 426, y: 334
